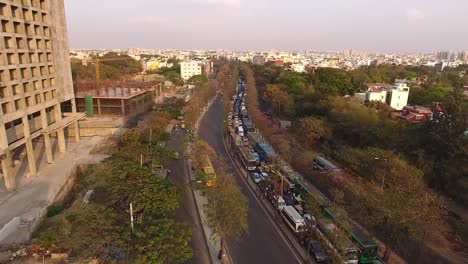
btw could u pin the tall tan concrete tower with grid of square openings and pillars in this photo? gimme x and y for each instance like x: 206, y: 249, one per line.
x: 36, y: 92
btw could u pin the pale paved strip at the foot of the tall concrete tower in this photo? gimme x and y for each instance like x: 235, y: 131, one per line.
x: 28, y: 204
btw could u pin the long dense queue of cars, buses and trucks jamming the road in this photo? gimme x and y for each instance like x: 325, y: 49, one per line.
x: 320, y: 234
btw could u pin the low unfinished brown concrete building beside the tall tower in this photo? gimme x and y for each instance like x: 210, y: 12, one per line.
x: 116, y: 98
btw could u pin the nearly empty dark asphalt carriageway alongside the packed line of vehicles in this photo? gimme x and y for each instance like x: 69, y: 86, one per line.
x: 263, y: 243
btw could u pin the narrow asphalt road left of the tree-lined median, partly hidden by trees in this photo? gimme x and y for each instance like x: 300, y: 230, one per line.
x: 187, y: 212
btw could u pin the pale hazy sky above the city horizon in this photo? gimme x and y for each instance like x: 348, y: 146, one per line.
x: 365, y: 25
